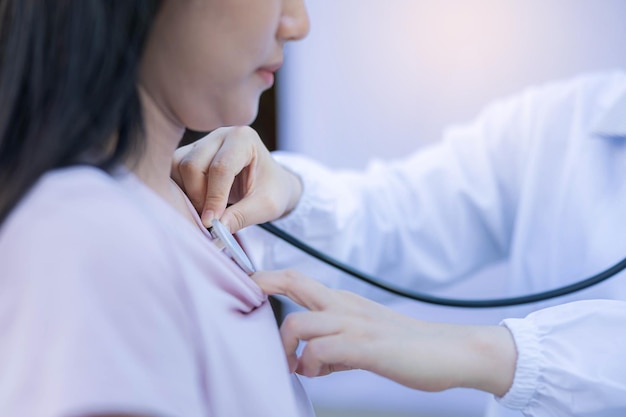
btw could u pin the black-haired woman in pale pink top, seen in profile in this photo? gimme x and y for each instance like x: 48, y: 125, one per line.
x: 113, y: 299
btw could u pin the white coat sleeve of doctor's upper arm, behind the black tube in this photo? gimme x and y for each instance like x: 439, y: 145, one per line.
x: 436, y: 216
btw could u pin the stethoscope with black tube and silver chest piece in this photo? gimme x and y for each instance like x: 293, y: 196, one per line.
x: 234, y: 250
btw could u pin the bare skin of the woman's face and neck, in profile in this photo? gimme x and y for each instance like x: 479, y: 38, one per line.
x: 231, y: 50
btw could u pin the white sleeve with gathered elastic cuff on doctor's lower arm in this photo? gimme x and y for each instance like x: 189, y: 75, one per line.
x: 570, y: 360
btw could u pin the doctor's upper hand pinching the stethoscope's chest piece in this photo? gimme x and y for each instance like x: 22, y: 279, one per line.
x: 231, y: 165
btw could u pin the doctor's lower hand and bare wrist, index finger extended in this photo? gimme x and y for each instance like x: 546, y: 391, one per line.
x: 345, y: 331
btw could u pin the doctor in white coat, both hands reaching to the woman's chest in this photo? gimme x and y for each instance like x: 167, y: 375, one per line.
x: 538, y: 179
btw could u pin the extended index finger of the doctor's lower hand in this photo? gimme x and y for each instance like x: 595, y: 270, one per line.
x: 301, y: 289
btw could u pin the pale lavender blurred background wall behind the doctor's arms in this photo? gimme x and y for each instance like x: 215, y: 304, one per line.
x: 379, y: 78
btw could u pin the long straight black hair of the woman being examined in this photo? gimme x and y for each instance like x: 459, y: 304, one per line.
x: 68, y: 87
